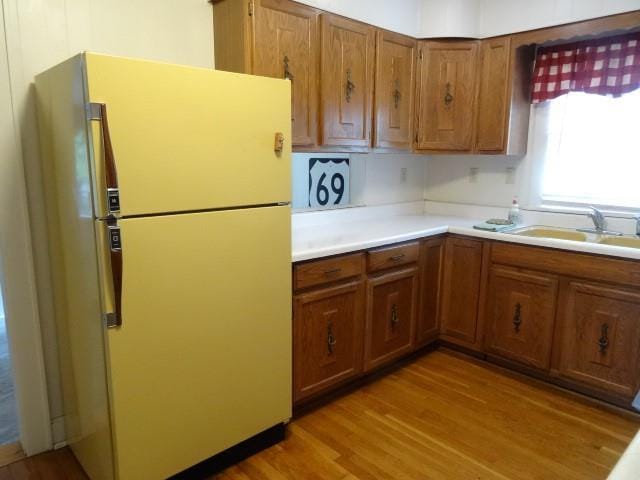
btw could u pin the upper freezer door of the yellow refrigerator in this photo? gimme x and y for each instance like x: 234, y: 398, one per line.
x: 189, y: 139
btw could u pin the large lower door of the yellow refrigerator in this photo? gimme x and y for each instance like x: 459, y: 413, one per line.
x: 202, y: 359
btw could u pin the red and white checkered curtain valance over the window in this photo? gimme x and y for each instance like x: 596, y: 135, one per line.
x: 606, y: 66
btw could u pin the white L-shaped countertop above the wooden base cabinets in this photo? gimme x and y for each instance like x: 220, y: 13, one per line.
x: 326, y: 239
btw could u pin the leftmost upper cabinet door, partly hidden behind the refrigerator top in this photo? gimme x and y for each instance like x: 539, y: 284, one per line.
x: 286, y: 46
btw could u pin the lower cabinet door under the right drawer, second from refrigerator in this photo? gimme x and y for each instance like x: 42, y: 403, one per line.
x: 391, y: 305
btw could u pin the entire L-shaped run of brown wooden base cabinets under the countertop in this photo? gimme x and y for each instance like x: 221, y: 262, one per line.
x: 568, y: 318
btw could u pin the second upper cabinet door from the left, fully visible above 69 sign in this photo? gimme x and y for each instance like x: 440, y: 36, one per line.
x: 347, y: 81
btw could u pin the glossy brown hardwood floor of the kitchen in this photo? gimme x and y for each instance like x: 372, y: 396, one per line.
x: 441, y: 417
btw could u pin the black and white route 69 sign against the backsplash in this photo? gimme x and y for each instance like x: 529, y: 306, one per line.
x: 328, y: 182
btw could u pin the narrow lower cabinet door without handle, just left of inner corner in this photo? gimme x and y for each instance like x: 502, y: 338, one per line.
x: 431, y: 263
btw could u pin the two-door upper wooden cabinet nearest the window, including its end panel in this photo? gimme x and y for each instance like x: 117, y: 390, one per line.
x: 473, y: 97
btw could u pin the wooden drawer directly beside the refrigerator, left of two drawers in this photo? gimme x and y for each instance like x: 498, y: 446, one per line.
x: 328, y: 270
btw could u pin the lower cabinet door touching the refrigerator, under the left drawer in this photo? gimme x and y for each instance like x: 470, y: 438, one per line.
x: 327, y: 335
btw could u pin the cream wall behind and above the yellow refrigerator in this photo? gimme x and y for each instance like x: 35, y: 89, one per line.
x: 41, y: 33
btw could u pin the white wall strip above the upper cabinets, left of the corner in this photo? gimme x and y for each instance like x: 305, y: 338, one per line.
x: 401, y: 16
